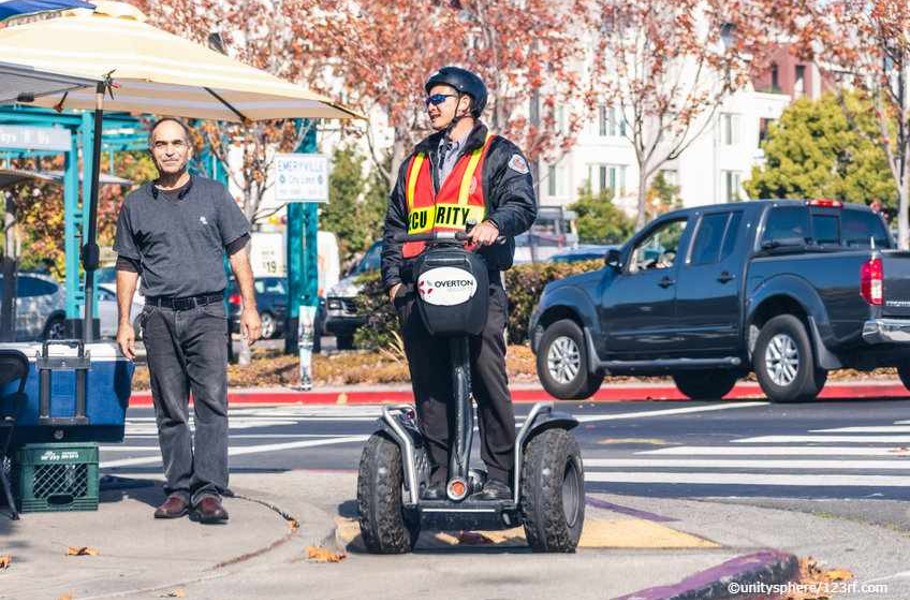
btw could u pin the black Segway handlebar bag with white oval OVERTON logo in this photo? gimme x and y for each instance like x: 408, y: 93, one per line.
x: 453, y: 290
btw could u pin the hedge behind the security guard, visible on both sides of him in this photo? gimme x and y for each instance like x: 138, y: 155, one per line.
x: 524, y: 284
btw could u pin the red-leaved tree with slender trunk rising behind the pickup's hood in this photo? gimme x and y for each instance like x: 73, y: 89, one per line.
x: 668, y: 66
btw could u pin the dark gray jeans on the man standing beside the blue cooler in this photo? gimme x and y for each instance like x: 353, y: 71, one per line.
x: 187, y: 352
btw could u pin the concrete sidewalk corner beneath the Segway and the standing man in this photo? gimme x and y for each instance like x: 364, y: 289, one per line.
x: 645, y: 548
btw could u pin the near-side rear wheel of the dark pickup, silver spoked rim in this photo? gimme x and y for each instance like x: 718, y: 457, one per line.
x: 784, y: 363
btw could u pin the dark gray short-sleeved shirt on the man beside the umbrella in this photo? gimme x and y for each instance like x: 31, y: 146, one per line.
x: 179, y: 238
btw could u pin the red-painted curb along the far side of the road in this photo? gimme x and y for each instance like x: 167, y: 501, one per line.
x: 606, y: 394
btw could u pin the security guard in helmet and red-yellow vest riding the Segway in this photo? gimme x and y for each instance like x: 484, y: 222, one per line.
x: 460, y: 165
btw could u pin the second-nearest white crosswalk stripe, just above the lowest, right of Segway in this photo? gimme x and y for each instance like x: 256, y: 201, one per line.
x: 672, y: 463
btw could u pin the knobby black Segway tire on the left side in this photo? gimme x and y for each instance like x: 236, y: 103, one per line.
x: 383, y: 525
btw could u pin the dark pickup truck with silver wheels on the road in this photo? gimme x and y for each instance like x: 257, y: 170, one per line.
x: 789, y: 289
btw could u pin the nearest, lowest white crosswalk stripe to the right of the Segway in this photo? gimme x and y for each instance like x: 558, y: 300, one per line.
x: 754, y: 479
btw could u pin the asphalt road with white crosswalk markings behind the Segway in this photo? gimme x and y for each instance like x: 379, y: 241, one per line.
x: 838, y: 452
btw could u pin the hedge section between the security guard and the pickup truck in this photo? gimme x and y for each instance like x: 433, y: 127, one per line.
x: 525, y: 284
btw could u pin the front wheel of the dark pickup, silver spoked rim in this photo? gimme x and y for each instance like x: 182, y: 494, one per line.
x: 562, y: 362
